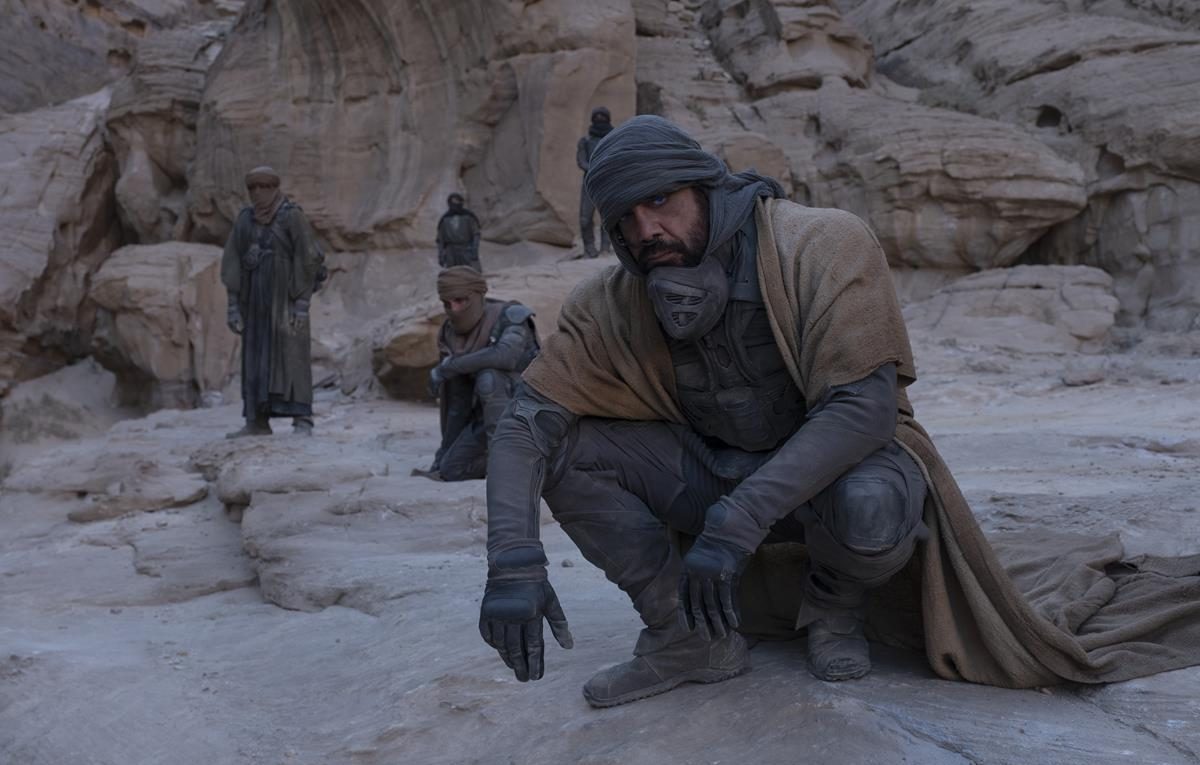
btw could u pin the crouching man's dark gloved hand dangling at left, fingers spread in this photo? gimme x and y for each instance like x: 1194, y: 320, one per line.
x: 511, y: 621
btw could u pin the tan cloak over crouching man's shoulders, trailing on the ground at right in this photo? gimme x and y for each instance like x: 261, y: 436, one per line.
x: 1053, y: 611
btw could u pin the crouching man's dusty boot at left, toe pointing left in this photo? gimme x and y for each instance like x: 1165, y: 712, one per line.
x: 692, y: 660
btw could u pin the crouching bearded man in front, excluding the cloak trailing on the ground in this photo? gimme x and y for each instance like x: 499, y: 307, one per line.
x: 737, y: 377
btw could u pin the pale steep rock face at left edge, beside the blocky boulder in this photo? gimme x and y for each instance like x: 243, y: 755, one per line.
x: 57, y: 226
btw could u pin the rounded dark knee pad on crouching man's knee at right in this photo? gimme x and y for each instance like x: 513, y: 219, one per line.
x: 871, y: 515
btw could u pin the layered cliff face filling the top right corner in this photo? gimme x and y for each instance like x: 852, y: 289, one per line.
x: 1114, y: 88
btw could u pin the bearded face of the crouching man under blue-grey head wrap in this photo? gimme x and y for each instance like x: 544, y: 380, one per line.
x: 668, y: 230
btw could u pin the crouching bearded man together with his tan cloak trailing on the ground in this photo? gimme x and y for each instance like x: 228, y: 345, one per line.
x: 733, y: 388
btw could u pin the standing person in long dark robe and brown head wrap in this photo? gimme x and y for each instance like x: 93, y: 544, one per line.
x: 271, y: 268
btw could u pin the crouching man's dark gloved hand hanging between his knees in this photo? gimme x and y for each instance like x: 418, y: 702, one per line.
x: 712, y: 570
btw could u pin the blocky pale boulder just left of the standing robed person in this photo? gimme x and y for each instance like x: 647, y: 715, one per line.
x: 161, y: 323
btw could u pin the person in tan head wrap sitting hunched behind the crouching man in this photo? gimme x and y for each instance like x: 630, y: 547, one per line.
x: 485, y: 346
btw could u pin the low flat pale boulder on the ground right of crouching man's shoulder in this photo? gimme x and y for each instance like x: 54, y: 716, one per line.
x: 1024, y: 310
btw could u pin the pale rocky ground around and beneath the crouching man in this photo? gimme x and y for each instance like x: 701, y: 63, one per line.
x: 338, y: 622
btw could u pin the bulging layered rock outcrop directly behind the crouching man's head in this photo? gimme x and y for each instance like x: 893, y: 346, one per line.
x: 943, y: 190
